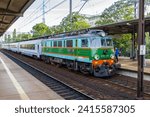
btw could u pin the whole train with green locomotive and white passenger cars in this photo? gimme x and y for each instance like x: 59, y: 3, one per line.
x: 89, y: 52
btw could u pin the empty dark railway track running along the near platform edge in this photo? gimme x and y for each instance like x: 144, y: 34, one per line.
x: 63, y: 89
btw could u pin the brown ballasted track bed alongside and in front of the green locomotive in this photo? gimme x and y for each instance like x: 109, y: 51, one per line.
x: 117, y: 87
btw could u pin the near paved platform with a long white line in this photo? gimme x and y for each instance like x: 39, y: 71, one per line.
x: 18, y: 84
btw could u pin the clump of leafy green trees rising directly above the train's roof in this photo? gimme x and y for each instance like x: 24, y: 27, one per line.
x: 78, y: 22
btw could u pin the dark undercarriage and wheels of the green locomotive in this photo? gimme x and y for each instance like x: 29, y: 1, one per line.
x: 104, y: 70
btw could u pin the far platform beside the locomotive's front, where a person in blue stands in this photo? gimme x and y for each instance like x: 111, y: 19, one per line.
x: 129, y: 64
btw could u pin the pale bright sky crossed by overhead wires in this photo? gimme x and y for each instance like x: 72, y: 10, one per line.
x: 54, y: 15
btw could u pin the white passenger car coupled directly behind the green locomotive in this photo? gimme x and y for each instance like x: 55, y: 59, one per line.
x: 31, y: 48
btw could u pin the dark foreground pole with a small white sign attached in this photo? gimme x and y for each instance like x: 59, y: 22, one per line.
x: 141, y: 50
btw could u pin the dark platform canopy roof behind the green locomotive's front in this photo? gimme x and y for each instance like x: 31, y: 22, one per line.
x: 124, y: 27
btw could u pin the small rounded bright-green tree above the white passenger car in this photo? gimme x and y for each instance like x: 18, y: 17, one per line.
x: 40, y: 29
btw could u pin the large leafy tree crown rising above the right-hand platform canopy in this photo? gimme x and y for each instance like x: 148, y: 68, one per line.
x: 119, y: 11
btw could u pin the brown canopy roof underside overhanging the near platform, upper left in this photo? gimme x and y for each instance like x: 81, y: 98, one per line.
x: 10, y: 11
